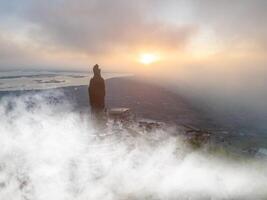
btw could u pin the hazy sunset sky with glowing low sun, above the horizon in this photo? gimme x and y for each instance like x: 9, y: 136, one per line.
x: 117, y: 34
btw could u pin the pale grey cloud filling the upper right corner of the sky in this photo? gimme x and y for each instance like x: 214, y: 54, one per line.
x: 237, y: 21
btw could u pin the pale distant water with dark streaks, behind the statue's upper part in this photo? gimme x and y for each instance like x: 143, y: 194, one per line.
x: 36, y: 80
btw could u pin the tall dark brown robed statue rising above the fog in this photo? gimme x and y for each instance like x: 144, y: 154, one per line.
x: 97, y: 91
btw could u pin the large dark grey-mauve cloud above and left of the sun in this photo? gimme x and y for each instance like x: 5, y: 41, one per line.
x: 102, y: 26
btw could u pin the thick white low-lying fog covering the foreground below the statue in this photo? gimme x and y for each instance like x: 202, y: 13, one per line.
x: 49, y: 151
